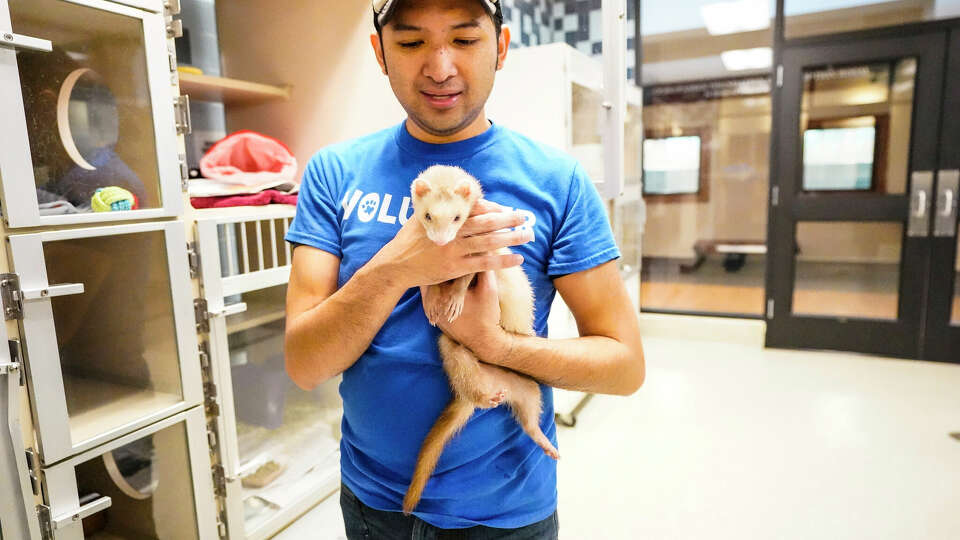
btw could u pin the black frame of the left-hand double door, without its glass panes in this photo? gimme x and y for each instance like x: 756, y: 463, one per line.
x: 926, y: 42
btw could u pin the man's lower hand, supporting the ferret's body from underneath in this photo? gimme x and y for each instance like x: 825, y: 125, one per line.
x: 480, y: 320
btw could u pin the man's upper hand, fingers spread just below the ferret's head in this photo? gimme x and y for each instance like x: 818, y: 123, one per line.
x: 412, y: 259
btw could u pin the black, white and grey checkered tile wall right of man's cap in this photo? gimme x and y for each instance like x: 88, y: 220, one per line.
x: 577, y: 22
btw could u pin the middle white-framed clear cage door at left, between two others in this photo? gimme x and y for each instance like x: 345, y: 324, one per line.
x: 109, y: 335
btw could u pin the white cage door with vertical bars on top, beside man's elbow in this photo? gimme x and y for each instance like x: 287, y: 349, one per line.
x: 278, y: 444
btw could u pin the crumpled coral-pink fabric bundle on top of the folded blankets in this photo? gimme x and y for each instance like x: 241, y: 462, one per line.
x: 249, y: 158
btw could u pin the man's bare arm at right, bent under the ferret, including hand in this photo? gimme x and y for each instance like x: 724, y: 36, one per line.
x: 607, y: 358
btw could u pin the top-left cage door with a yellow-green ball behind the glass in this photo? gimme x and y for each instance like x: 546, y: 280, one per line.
x: 87, y: 105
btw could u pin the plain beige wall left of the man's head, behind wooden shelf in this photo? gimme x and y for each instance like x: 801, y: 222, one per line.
x: 323, y: 50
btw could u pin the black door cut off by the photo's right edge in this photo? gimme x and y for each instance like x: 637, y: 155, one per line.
x: 943, y: 320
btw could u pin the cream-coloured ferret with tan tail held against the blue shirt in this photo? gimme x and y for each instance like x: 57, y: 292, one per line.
x: 442, y: 200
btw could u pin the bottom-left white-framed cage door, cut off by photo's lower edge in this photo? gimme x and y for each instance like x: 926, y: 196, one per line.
x: 153, y: 484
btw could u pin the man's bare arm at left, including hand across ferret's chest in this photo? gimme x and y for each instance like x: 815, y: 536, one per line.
x: 328, y: 328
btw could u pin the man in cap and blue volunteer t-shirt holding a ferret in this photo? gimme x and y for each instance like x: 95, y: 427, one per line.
x: 354, y: 299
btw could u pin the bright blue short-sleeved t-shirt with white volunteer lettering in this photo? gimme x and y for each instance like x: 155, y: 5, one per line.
x: 354, y: 198
